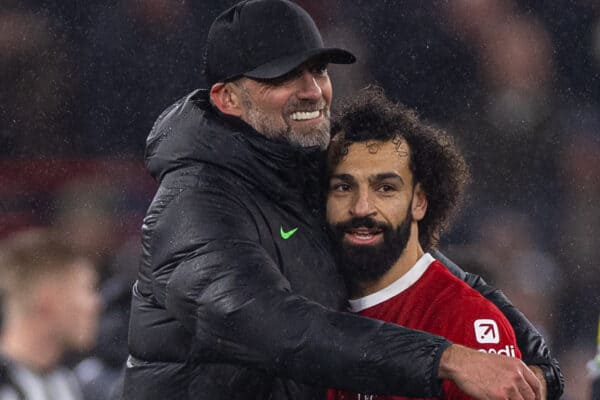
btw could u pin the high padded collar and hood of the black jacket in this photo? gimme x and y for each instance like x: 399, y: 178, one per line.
x: 192, y: 131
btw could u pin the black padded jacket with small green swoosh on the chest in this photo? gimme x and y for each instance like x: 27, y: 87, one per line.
x: 237, y: 291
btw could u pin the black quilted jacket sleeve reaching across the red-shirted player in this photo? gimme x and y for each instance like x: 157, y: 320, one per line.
x: 214, y: 277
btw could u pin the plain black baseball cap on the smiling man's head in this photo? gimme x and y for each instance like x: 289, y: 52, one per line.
x: 264, y: 39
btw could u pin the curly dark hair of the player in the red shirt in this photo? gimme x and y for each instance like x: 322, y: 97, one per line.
x: 435, y: 161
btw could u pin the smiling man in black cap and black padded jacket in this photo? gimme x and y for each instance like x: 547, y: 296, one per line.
x: 237, y: 286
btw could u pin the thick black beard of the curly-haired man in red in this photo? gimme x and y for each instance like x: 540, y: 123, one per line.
x: 364, y: 264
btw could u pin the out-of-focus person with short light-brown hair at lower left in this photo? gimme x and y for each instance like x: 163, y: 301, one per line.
x: 51, y: 307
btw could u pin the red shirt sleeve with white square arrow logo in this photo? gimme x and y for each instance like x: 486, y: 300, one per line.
x: 481, y: 326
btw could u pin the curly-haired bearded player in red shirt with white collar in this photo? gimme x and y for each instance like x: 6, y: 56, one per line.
x: 394, y: 182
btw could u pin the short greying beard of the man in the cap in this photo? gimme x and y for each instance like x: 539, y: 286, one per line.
x: 278, y: 128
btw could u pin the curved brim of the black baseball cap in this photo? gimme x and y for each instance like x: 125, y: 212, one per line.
x: 282, y: 66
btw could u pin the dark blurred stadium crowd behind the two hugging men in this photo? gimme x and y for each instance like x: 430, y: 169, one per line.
x: 517, y: 83
